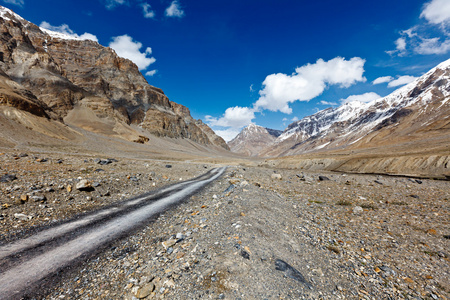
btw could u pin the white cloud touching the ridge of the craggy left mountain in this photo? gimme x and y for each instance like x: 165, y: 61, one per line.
x: 127, y: 48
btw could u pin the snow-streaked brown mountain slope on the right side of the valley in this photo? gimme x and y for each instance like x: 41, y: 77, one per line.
x: 417, y: 111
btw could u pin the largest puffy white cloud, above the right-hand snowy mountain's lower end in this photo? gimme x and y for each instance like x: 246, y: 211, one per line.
x: 308, y: 82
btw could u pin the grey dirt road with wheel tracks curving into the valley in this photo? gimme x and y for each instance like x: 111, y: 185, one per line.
x: 26, y: 262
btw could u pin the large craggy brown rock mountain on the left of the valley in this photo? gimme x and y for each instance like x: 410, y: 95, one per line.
x: 59, y: 77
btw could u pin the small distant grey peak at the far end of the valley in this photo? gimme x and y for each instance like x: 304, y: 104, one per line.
x: 252, y: 139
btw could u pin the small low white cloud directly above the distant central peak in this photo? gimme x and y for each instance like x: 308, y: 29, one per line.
x: 235, y: 117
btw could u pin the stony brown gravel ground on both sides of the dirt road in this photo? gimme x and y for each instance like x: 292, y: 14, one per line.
x: 256, y: 233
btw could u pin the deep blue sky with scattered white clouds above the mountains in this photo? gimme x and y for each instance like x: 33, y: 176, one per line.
x: 267, y: 62
